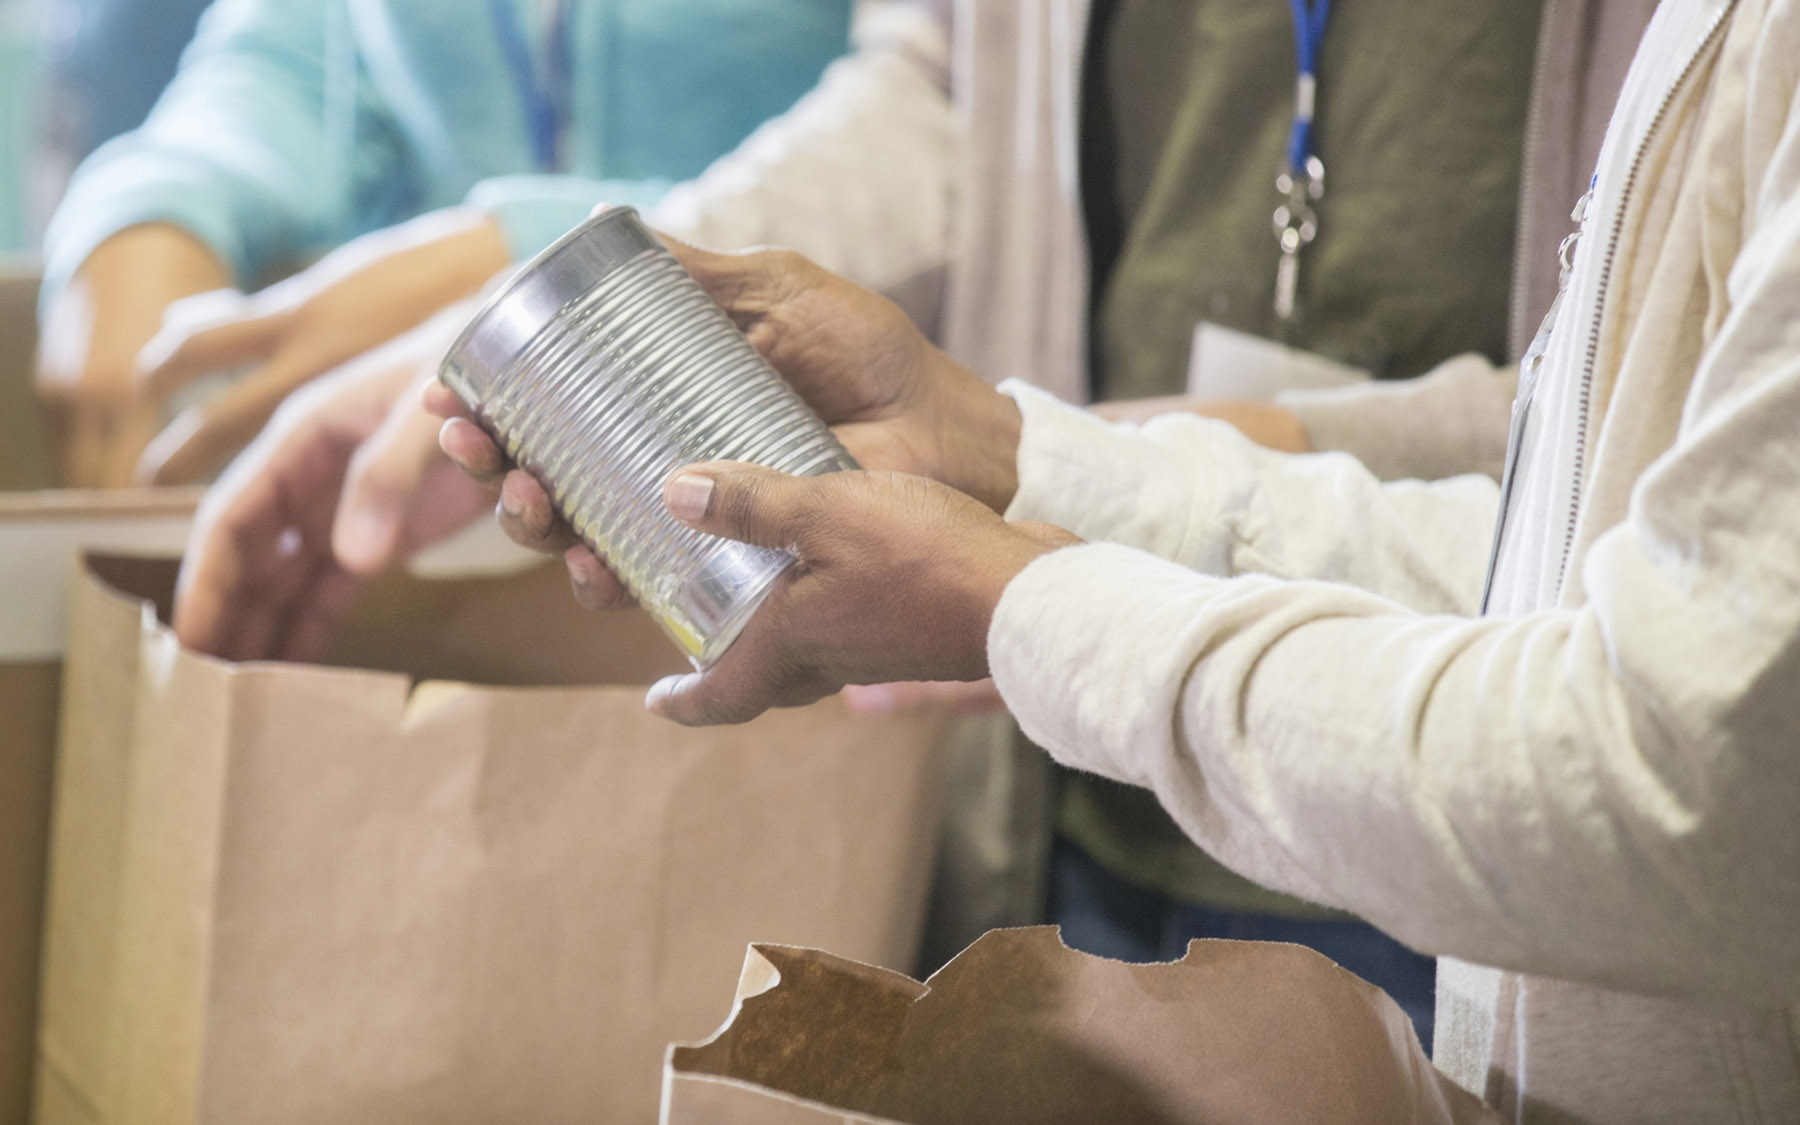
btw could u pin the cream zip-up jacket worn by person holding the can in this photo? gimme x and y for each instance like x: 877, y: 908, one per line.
x: 1587, y: 802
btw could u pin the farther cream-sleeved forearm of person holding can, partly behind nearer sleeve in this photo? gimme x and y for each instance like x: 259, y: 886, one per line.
x: 1198, y: 492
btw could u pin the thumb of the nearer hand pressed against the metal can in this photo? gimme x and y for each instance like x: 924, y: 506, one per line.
x: 748, y: 503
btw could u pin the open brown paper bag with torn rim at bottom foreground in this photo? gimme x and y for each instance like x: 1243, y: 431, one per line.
x: 1023, y: 1030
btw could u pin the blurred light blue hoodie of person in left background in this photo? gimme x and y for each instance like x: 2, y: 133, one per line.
x: 296, y: 125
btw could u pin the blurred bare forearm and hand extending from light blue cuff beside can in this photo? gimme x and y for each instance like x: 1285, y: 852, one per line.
x: 352, y: 301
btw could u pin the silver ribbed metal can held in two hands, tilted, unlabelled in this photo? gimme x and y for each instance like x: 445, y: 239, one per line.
x: 602, y: 368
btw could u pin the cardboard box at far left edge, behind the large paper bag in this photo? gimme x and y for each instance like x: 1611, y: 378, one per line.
x: 40, y: 534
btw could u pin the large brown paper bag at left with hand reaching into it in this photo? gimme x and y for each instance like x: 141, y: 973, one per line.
x: 289, y: 894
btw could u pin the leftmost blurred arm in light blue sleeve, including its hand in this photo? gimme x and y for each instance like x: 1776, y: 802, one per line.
x: 240, y: 166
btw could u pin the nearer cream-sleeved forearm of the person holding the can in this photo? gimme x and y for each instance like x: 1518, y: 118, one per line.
x: 1511, y: 793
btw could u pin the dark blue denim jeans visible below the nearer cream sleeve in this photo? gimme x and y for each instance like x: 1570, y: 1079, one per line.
x: 1108, y: 917
